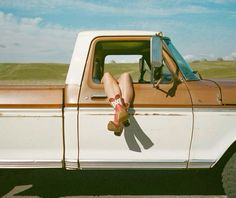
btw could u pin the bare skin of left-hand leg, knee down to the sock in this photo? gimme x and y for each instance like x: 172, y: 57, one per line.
x: 111, y: 86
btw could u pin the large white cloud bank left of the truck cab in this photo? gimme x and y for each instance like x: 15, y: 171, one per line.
x: 26, y: 40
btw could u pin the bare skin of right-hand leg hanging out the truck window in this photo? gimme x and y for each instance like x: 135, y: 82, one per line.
x: 126, y: 87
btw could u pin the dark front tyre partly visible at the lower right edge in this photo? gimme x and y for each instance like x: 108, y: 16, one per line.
x: 229, y: 177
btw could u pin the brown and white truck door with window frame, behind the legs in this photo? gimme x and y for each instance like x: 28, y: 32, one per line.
x: 161, y: 118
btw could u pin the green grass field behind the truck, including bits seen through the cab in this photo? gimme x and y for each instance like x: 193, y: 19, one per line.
x: 45, y: 73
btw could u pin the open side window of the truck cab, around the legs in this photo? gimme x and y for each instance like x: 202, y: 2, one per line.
x: 117, y: 57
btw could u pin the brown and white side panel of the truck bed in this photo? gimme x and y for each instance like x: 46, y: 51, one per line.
x: 31, y: 133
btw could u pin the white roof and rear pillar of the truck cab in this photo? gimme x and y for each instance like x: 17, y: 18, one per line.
x: 81, y: 50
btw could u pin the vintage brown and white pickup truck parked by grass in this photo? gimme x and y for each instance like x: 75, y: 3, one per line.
x: 177, y: 119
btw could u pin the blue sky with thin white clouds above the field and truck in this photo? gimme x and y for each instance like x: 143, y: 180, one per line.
x: 46, y: 30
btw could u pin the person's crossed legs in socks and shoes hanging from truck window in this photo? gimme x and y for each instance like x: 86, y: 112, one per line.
x: 120, y: 94
